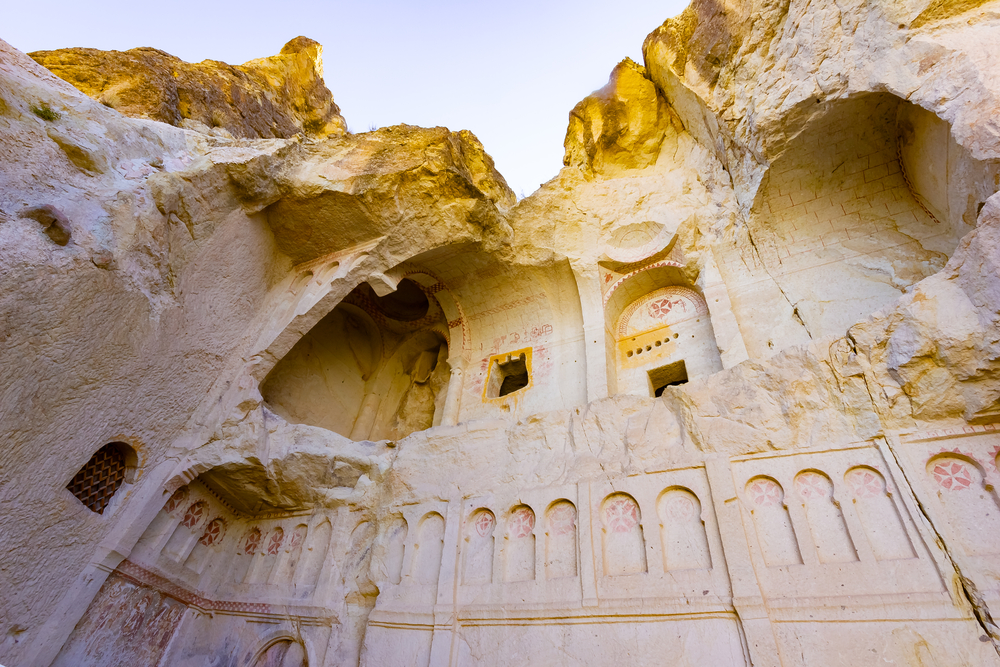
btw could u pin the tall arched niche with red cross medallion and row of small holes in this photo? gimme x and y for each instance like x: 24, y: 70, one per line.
x: 660, y: 332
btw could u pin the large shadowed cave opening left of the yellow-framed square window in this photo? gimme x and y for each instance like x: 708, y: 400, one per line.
x: 374, y: 368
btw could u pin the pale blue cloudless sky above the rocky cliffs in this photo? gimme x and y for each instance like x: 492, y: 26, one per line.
x: 508, y: 71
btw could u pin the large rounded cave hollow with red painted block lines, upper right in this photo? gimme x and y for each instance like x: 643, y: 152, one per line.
x: 868, y: 196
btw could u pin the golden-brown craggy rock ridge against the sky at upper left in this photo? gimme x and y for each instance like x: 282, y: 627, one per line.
x: 276, y: 97
